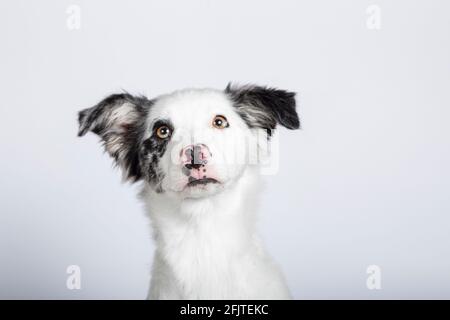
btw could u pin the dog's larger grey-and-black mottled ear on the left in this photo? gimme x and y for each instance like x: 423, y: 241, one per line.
x: 119, y: 121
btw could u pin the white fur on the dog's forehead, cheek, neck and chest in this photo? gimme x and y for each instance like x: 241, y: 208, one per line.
x: 207, y: 246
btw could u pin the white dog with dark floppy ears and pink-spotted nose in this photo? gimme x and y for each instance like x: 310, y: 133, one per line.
x: 191, y: 150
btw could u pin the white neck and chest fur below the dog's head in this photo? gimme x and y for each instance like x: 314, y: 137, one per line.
x: 209, y: 249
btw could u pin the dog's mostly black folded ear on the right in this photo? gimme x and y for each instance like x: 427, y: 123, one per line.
x: 264, y: 107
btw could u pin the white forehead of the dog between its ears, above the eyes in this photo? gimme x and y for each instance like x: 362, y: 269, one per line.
x: 184, y: 105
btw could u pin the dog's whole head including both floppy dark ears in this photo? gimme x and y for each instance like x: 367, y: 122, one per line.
x: 192, y: 143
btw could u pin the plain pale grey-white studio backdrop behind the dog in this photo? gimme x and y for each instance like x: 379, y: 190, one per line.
x: 366, y: 181
